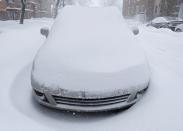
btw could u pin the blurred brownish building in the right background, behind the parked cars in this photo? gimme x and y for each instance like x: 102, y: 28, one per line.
x: 151, y: 8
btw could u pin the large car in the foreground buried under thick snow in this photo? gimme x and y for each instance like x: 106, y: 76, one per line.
x: 90, y: 62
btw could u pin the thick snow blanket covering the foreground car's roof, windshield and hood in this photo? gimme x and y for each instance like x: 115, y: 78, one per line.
x: 89, y: 48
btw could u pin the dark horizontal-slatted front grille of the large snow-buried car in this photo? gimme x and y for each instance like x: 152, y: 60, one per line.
x: 91, y: 102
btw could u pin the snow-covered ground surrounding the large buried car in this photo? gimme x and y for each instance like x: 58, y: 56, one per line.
x: 160, y: 109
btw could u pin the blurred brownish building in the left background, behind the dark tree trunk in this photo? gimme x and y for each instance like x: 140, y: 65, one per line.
x: 11, y: 9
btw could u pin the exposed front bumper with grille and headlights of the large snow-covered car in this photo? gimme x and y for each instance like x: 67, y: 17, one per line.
x: 87, y: 105
